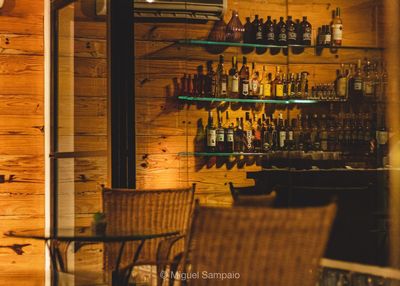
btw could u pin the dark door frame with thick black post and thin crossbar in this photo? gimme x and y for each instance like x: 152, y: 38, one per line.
x: 121, y: 122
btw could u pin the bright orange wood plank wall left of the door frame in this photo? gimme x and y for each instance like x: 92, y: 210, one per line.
x: 21, y: 139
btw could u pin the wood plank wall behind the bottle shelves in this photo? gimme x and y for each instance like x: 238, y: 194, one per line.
x: 165, y: 127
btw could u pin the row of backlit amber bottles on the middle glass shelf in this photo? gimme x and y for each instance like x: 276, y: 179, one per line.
x: 352, y: 80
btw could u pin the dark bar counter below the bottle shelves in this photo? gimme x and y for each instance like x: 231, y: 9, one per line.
x: 360, y: 232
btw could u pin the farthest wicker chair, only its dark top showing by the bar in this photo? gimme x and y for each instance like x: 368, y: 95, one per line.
x: 247, y: 196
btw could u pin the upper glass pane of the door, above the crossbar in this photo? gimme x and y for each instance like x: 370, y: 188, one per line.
x: 81, y: 103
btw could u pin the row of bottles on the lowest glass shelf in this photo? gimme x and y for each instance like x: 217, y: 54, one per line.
x: 345, y: 132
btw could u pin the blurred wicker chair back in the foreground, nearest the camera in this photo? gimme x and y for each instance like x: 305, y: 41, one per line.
x: 277, y: 247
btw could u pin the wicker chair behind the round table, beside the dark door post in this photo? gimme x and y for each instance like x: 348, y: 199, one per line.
x: 147, y: 211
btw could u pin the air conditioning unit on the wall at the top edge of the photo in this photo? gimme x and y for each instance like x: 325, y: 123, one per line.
x: 174, y: 9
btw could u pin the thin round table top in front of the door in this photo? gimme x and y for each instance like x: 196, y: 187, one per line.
x: 86, y: 234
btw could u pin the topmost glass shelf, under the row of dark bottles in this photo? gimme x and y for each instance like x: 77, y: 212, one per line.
x: 233, y: 44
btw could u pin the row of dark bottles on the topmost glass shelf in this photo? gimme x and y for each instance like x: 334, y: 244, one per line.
x: 279, y: 33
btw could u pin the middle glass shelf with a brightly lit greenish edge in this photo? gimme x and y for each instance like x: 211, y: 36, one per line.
x: 243, y: 100
